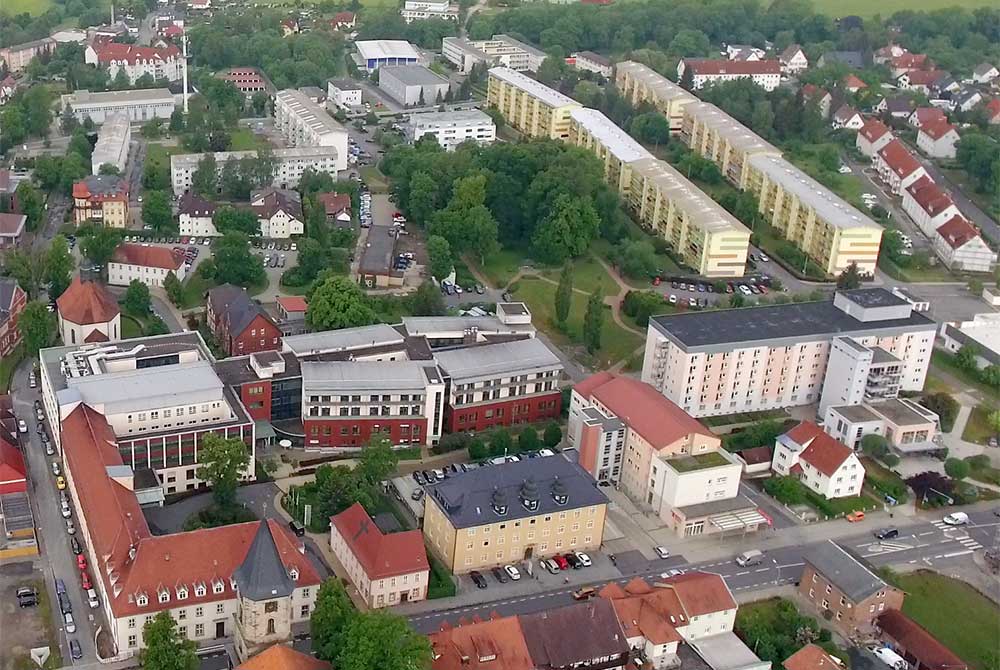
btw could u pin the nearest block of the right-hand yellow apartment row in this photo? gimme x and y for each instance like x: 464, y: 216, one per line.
x: 819, y: 222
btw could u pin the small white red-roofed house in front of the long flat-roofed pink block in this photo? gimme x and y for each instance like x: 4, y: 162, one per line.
x: 822, y: 464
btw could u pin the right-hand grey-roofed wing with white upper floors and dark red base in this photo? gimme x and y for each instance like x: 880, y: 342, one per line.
x: 502, y: 384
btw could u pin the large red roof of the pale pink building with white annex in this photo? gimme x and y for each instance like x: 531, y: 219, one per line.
x: 644, y: 409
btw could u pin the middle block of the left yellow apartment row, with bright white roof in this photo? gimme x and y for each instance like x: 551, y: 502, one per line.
x: 616, y: 149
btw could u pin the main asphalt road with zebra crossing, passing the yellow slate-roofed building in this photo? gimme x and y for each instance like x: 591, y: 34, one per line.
x: 922, y: 542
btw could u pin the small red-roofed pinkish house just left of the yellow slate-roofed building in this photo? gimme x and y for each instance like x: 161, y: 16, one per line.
x: 386, y: 568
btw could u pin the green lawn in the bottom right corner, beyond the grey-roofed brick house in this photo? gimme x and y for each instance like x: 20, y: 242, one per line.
x: 946, y: 607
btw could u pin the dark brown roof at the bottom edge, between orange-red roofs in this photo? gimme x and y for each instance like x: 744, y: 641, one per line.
x: 578, y: 633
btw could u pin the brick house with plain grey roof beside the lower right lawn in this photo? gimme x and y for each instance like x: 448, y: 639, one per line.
x: 836, y: 581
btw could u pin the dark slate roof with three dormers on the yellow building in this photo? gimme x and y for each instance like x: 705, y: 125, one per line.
x: 467, y: 499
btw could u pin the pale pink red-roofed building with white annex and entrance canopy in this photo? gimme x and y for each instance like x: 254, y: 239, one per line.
x: 628, y: 433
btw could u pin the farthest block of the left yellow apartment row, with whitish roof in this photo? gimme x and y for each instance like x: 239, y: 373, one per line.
x: 528, y: 106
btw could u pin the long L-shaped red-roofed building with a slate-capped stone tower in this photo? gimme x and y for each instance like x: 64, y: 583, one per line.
x: 251, y: 581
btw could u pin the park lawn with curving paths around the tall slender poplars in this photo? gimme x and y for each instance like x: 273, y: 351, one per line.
x: 616, y: 343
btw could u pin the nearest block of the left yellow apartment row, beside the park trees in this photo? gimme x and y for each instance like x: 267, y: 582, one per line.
x: 708, y: 238
